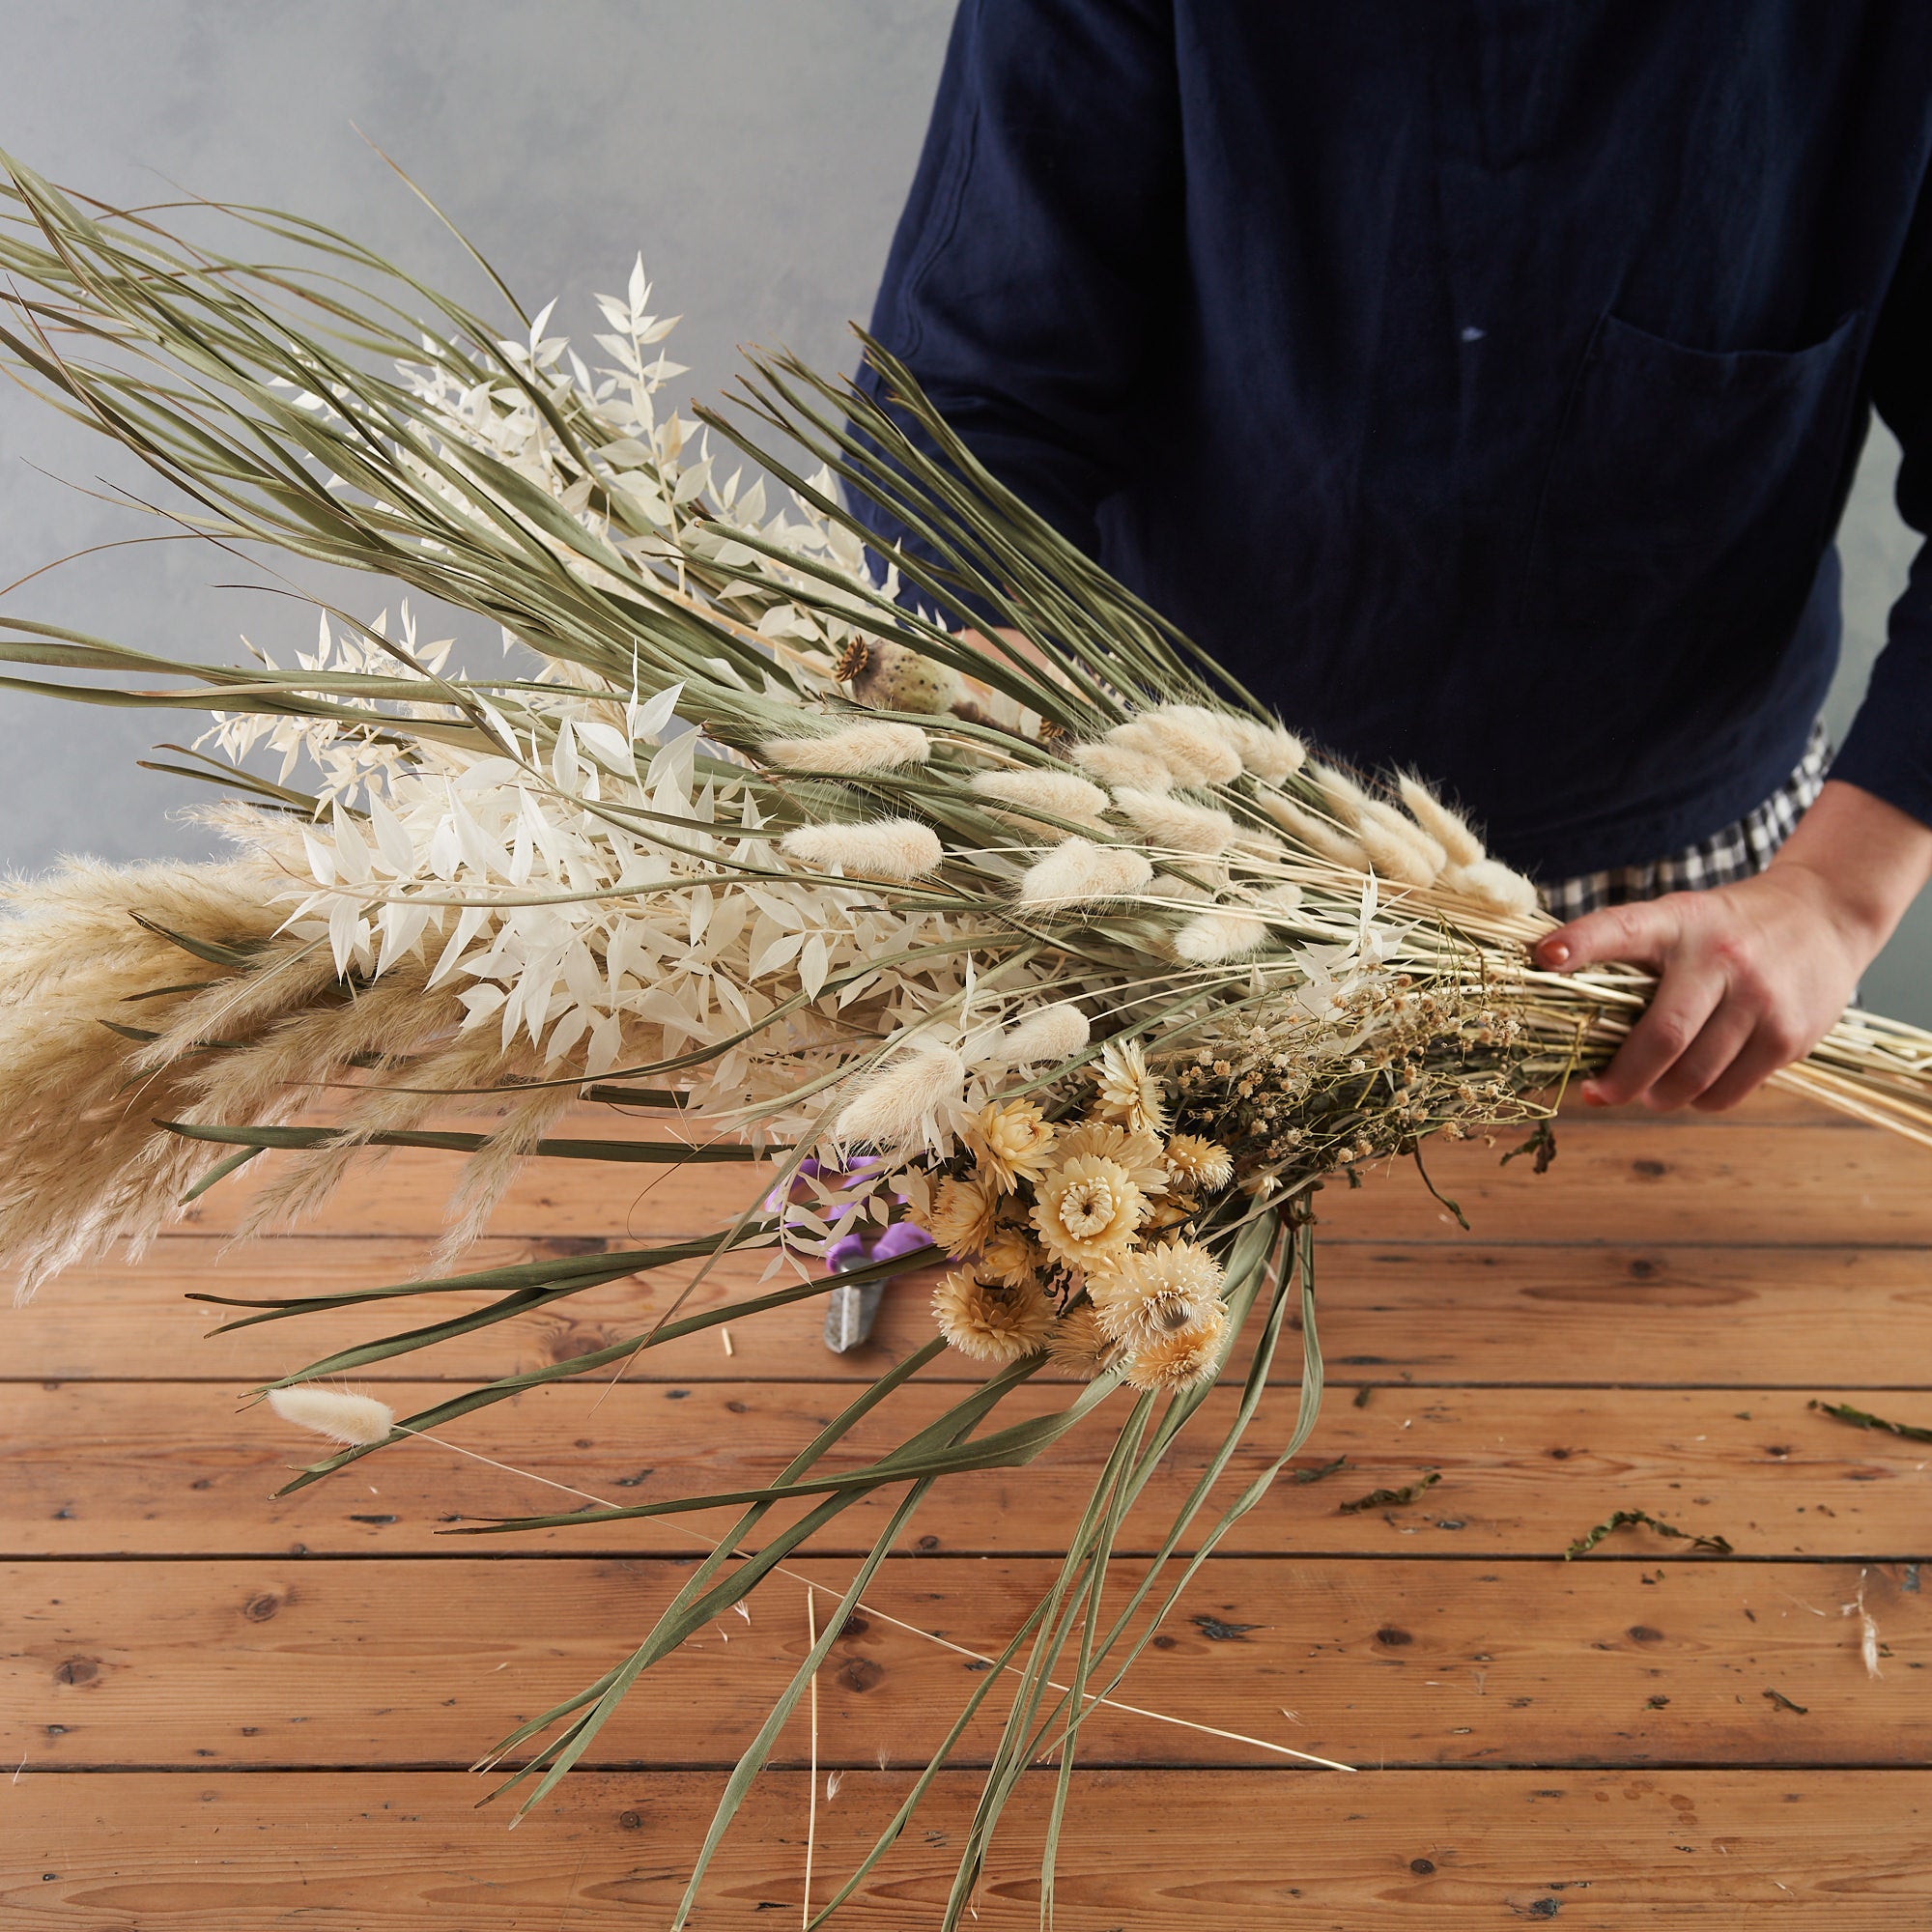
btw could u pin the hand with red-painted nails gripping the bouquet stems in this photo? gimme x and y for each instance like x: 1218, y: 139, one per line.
x: 1753, y: 975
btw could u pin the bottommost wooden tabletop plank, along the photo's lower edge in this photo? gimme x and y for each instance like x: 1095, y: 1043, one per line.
x: 1160, y: 1852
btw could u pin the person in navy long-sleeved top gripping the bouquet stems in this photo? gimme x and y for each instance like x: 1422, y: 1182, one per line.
x: 1481, y: 382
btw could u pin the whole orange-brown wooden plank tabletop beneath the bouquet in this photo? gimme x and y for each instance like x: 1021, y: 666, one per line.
x: 235, y: 1715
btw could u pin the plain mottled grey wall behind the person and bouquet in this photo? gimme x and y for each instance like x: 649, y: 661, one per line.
x: 754, y: 150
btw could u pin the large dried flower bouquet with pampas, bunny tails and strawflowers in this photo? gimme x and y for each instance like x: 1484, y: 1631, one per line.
x: 1085, y: 977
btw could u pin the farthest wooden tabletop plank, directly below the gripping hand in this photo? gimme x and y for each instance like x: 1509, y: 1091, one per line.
x: 1616, y: 1181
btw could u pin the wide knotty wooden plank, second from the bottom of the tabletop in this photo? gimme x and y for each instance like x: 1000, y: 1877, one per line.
x: 1531, y: 1664
